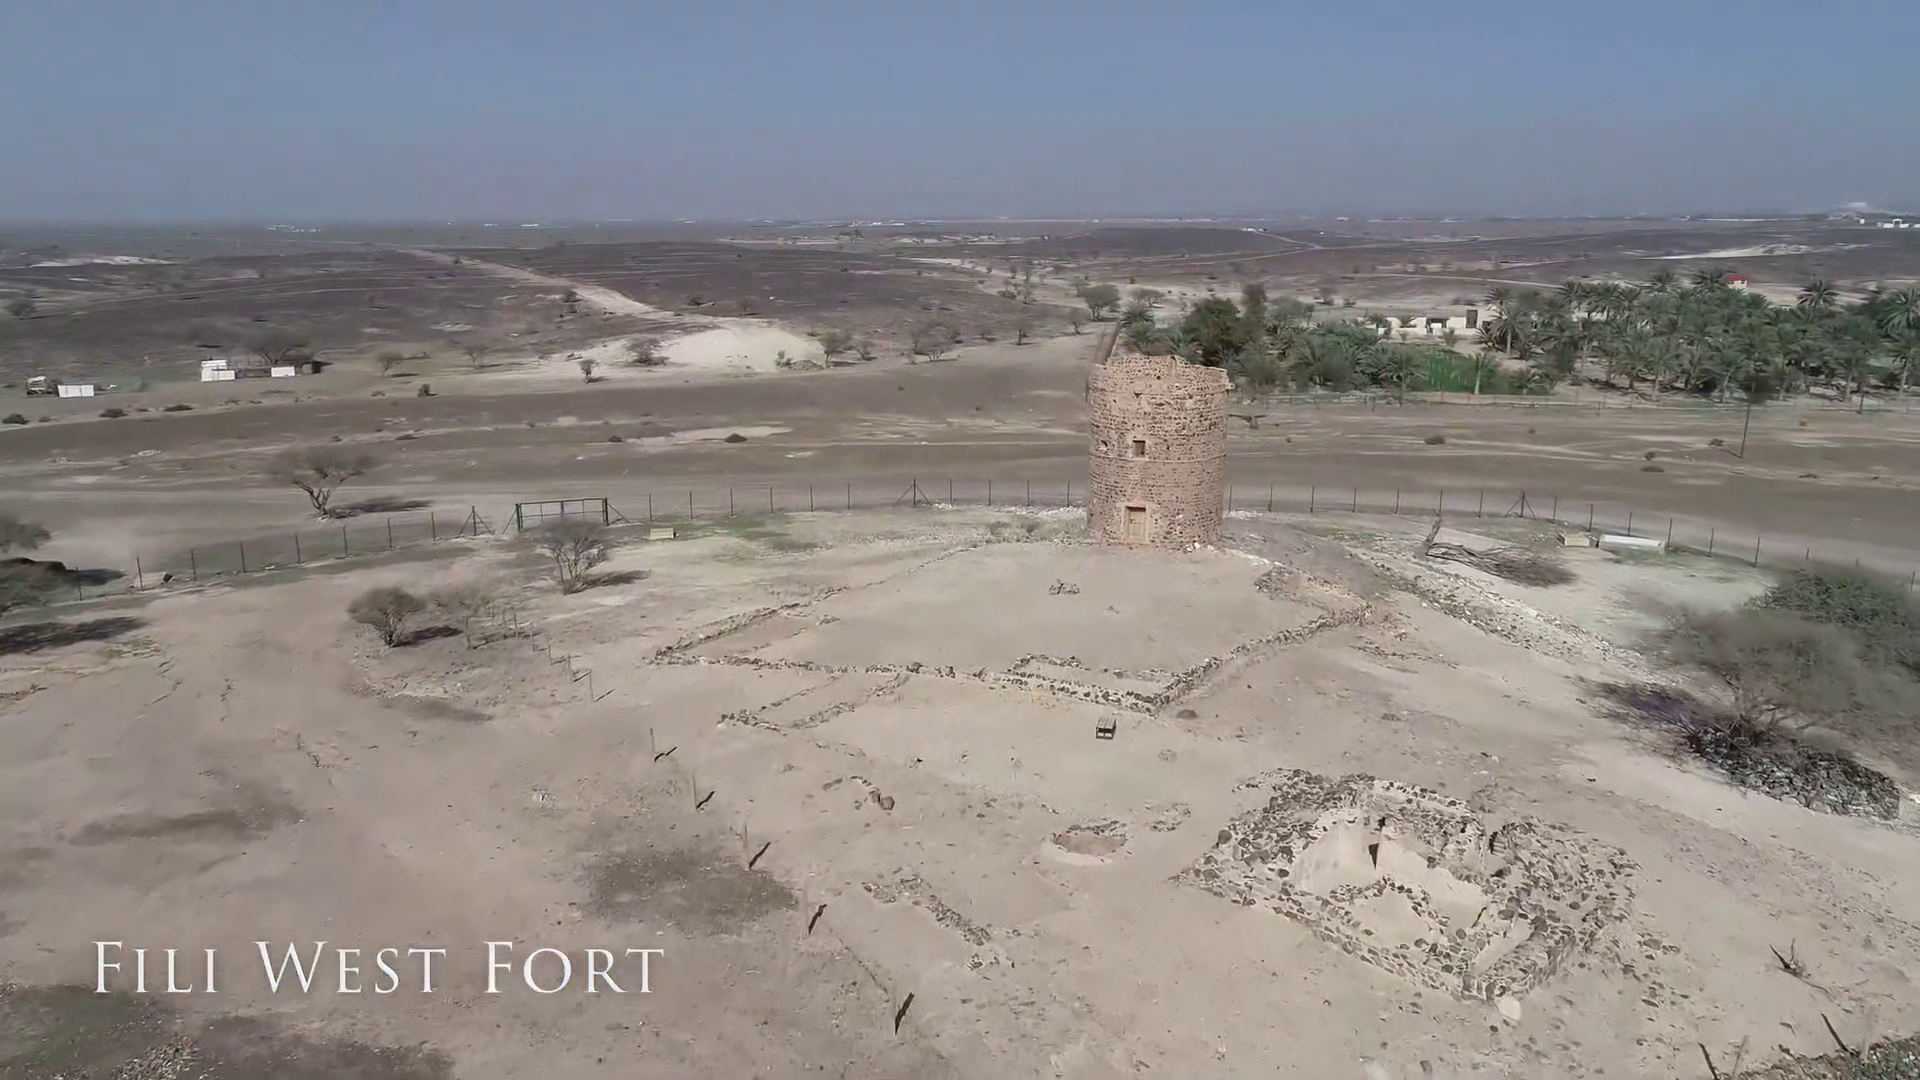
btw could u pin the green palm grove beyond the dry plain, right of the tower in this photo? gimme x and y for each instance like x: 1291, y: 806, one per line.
x: 1700, y: 337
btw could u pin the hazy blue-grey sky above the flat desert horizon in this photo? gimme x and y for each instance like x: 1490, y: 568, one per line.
x: 481, y: 110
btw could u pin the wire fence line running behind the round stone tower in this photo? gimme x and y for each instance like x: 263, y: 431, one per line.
x: 373, y: 535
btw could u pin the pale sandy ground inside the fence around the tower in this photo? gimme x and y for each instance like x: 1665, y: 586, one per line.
x: 834, y: 762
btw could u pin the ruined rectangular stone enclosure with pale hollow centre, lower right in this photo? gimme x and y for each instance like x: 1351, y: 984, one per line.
x: 1414, y: 883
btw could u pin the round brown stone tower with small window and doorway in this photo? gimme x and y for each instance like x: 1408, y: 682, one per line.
x: 1159, y: 462
